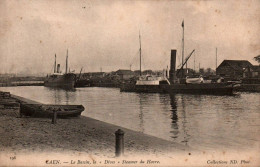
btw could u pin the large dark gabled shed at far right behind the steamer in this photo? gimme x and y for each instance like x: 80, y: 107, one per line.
x: 232, y: 68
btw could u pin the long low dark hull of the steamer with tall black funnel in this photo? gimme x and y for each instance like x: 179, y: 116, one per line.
x: 209, y: 88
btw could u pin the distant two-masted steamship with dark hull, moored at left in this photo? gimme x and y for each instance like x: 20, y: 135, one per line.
x: 58, y: 79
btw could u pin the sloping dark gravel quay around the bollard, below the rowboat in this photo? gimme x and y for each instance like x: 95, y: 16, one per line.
x: 80, y: 134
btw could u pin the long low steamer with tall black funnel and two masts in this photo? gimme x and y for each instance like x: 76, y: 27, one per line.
x: 174, y: 84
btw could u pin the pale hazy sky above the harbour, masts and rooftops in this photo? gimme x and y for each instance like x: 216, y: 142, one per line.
x: 104, y: 35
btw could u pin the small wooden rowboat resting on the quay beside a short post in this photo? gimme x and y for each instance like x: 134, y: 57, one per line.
x: 47, y: 110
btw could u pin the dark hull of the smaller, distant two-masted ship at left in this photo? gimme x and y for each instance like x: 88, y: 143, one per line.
x: 63, y: 81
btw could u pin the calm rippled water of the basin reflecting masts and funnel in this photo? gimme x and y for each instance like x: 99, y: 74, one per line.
x: 200, y: 121
